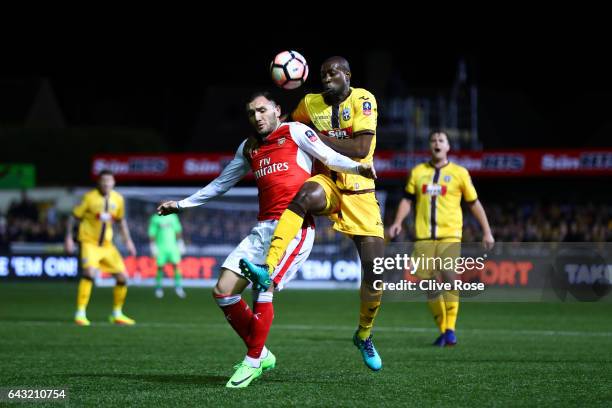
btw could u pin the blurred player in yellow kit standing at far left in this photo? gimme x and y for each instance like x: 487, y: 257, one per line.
x: 97, y: 212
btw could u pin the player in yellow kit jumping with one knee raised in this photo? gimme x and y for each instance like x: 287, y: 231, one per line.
x: 345, y: 119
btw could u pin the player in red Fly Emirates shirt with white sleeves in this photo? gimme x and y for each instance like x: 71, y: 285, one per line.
x: 281, y: 158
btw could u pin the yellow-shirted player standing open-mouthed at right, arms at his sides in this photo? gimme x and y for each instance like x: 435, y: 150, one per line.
x: 437, y: 187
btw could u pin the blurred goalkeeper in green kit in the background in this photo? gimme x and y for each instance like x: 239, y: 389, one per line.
x: 166, y: 243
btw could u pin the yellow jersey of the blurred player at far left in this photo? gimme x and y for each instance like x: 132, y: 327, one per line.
x: 97, y: 214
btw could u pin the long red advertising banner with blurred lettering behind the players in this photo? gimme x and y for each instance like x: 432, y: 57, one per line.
x: 389, y: 164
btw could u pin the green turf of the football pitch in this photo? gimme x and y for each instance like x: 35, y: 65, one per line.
x: 181, y: 352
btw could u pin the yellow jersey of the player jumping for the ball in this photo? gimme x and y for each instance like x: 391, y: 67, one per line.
x: 356, y: 113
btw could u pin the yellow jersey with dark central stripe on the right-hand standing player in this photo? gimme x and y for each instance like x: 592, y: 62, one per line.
x: 438, y: 193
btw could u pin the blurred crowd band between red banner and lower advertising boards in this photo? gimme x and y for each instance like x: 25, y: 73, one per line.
x: 29, y: 221
